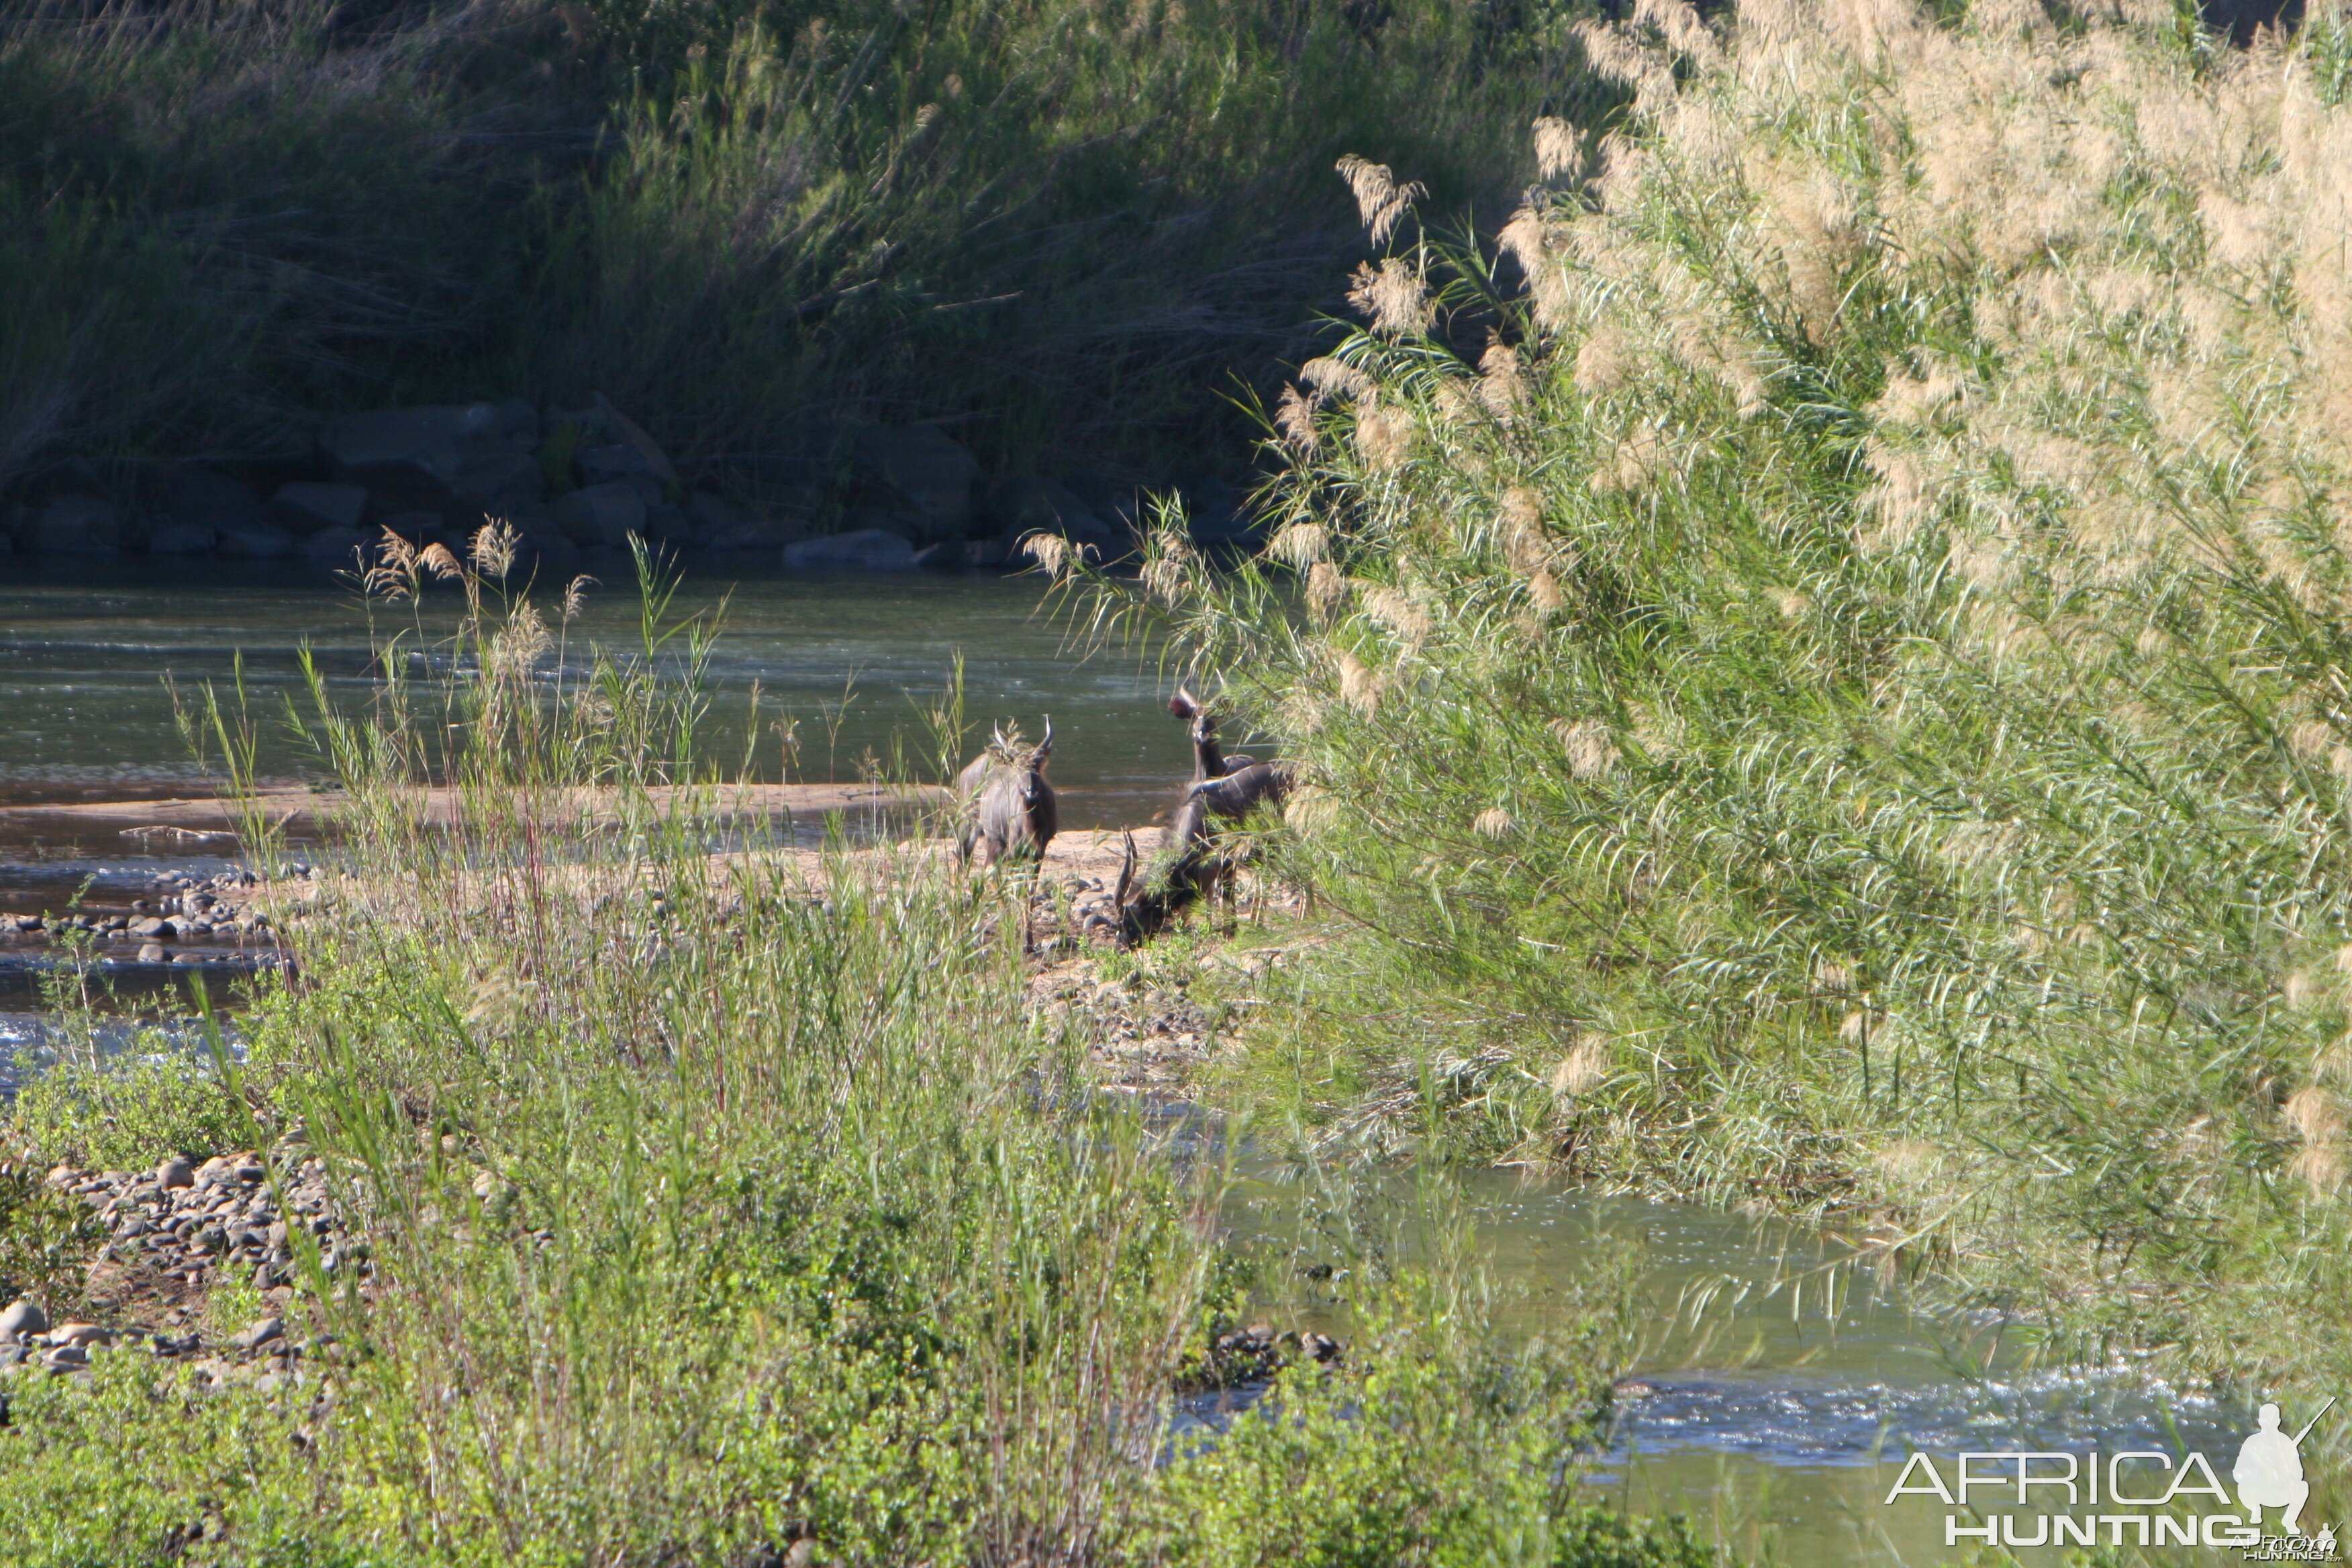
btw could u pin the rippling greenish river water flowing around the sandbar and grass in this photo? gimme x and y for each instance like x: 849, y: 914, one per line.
x: 1782, y: 1386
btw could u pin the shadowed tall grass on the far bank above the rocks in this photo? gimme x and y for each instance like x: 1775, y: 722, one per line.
x: 1062, y: 227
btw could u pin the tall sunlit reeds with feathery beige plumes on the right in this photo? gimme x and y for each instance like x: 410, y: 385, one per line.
x: 1838, y: 704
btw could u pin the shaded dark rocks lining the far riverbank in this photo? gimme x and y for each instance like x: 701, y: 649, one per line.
x: 575, y: 481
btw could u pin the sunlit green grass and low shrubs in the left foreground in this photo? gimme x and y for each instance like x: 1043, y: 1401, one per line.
x: 711, y: 1207
